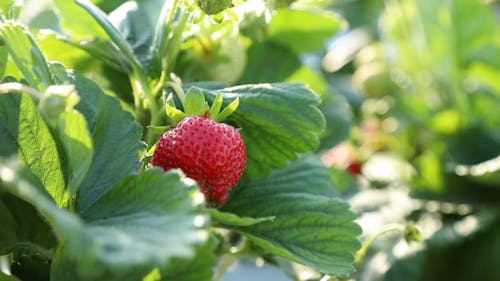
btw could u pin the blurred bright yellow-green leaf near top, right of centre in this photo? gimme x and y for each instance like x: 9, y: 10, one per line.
x: 303, y: 31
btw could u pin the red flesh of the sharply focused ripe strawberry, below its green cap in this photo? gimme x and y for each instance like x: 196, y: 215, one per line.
x: 211, y: 153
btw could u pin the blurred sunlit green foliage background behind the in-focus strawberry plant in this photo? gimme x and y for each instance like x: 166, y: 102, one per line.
x: 410, y: 92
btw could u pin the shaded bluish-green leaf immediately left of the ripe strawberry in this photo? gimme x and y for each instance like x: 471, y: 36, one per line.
x: 116, y: 139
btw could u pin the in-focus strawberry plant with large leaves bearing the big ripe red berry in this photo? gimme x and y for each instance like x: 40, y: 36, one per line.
x: 139, y: 141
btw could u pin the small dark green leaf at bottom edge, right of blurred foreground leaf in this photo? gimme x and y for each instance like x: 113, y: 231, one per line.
x: 199, y: 268
